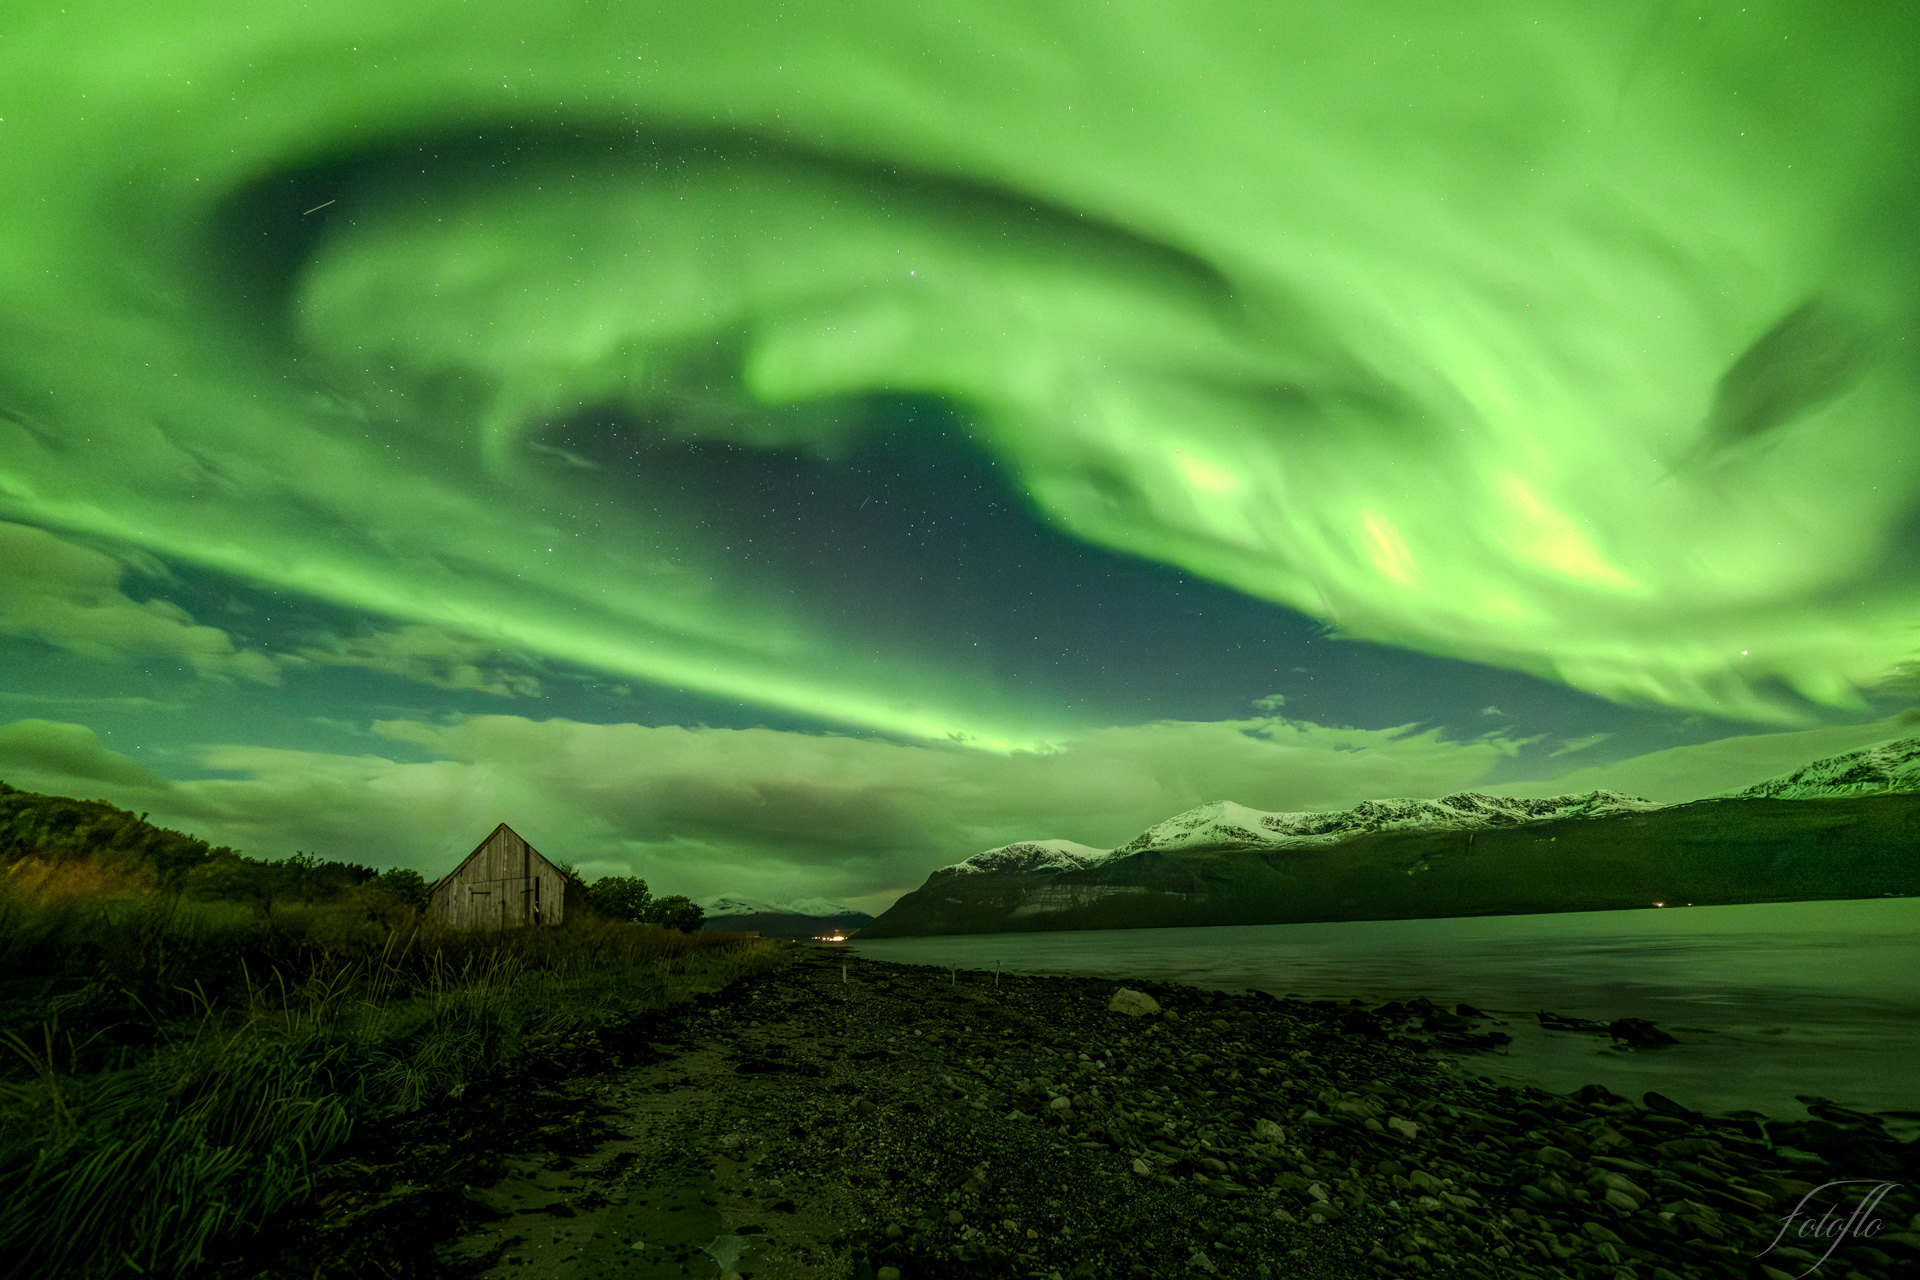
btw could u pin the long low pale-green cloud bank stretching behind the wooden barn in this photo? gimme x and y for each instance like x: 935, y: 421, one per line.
x: 731, y: 811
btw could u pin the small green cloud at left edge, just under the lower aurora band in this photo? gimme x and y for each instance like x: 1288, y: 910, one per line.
x: 70, y: 598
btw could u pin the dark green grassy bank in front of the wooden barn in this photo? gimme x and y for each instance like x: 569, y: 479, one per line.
x: 174, y: 1070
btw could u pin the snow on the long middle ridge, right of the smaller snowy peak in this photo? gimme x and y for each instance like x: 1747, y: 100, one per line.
x: 1232, y: 826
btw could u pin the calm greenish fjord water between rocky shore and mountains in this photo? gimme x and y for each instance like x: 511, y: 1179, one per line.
x: 1767, y: 1001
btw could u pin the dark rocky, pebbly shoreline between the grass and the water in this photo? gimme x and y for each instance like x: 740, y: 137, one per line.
x: 855, y: 1120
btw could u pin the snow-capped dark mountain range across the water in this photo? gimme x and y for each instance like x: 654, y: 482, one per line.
x: 1838, y: 828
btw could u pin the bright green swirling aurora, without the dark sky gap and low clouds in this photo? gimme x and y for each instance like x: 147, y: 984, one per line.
x: 1577, y: 341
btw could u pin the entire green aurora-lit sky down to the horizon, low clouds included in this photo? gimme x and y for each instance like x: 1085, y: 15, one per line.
x: 957, y: 385
